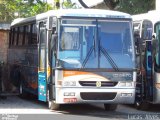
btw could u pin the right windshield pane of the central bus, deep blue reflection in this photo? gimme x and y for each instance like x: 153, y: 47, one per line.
x: 116, y: 44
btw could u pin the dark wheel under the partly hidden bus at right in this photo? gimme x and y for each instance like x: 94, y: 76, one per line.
x: 142, y: 105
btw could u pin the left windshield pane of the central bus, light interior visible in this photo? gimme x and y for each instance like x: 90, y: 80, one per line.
x: 76, y: 44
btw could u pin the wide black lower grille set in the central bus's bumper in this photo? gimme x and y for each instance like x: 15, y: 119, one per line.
x: 97, y: 96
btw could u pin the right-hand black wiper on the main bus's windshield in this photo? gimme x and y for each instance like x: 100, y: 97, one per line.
x: 109, y: 58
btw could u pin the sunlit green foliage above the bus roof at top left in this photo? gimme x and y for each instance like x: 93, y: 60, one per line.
x: 11, y: 9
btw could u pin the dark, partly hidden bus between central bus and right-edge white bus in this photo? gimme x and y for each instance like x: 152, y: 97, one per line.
x: 143, y: 29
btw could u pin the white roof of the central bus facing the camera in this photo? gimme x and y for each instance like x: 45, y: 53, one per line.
x: 91, y: 13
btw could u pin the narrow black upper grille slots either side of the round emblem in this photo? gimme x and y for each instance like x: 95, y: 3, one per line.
x: 93, y: 83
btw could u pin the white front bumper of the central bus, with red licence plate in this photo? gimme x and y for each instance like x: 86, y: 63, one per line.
x: 95, y: 95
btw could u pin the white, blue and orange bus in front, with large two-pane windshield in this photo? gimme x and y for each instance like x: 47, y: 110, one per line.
x: 74, y: 56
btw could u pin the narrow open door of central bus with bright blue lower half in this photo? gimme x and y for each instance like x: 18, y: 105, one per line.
x: 42, y: 62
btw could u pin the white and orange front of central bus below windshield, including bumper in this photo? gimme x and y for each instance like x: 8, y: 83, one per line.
x: 88, y: 87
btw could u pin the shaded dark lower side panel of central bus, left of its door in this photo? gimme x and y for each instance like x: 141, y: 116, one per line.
x: 25, y: 60
